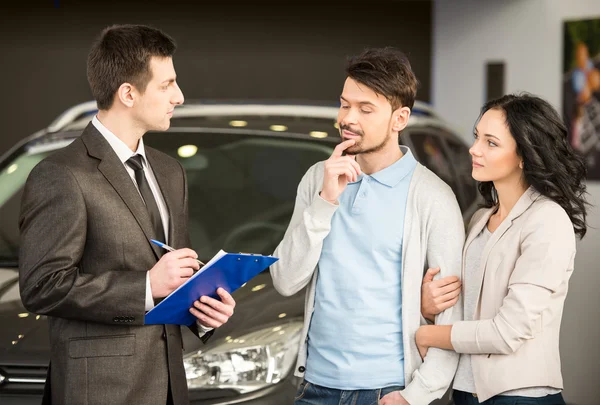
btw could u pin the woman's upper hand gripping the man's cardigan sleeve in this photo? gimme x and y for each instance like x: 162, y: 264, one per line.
x: 438, y: 295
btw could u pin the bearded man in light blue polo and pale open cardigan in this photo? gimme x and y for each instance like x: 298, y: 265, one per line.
x: 367, y: 223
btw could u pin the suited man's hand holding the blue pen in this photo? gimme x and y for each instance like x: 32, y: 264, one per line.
x: 172, y: 270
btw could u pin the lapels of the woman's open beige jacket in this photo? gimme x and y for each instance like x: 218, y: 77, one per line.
x: 520, y: 207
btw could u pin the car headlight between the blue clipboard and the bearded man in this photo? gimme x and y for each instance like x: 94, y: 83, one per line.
x: 247, y: 363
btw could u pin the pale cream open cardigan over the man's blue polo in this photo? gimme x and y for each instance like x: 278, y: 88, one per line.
x: 433, y: 237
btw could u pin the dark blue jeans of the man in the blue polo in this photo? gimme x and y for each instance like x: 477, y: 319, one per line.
x: 312, y: 394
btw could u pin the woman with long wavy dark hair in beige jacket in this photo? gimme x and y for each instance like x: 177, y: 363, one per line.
x: 517, y: 258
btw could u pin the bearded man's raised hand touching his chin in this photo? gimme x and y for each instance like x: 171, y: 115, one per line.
x: 339, y: 170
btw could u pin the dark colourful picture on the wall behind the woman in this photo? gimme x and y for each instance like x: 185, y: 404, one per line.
x: 581, y: 89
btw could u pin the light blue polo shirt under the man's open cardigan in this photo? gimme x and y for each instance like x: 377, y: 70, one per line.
x: 355, y: 336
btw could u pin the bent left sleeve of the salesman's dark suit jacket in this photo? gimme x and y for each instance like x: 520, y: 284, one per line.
x: 53, y: 224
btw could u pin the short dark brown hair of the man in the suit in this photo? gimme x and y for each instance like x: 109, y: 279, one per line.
x: 122, y: 54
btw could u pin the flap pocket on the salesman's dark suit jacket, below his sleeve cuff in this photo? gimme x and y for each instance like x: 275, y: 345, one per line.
x: 104, y: 346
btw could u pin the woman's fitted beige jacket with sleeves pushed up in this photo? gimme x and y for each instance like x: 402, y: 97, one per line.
x: 526, y: 266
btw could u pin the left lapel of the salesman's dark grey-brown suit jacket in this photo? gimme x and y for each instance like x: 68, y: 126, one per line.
x: 115, y: 173
